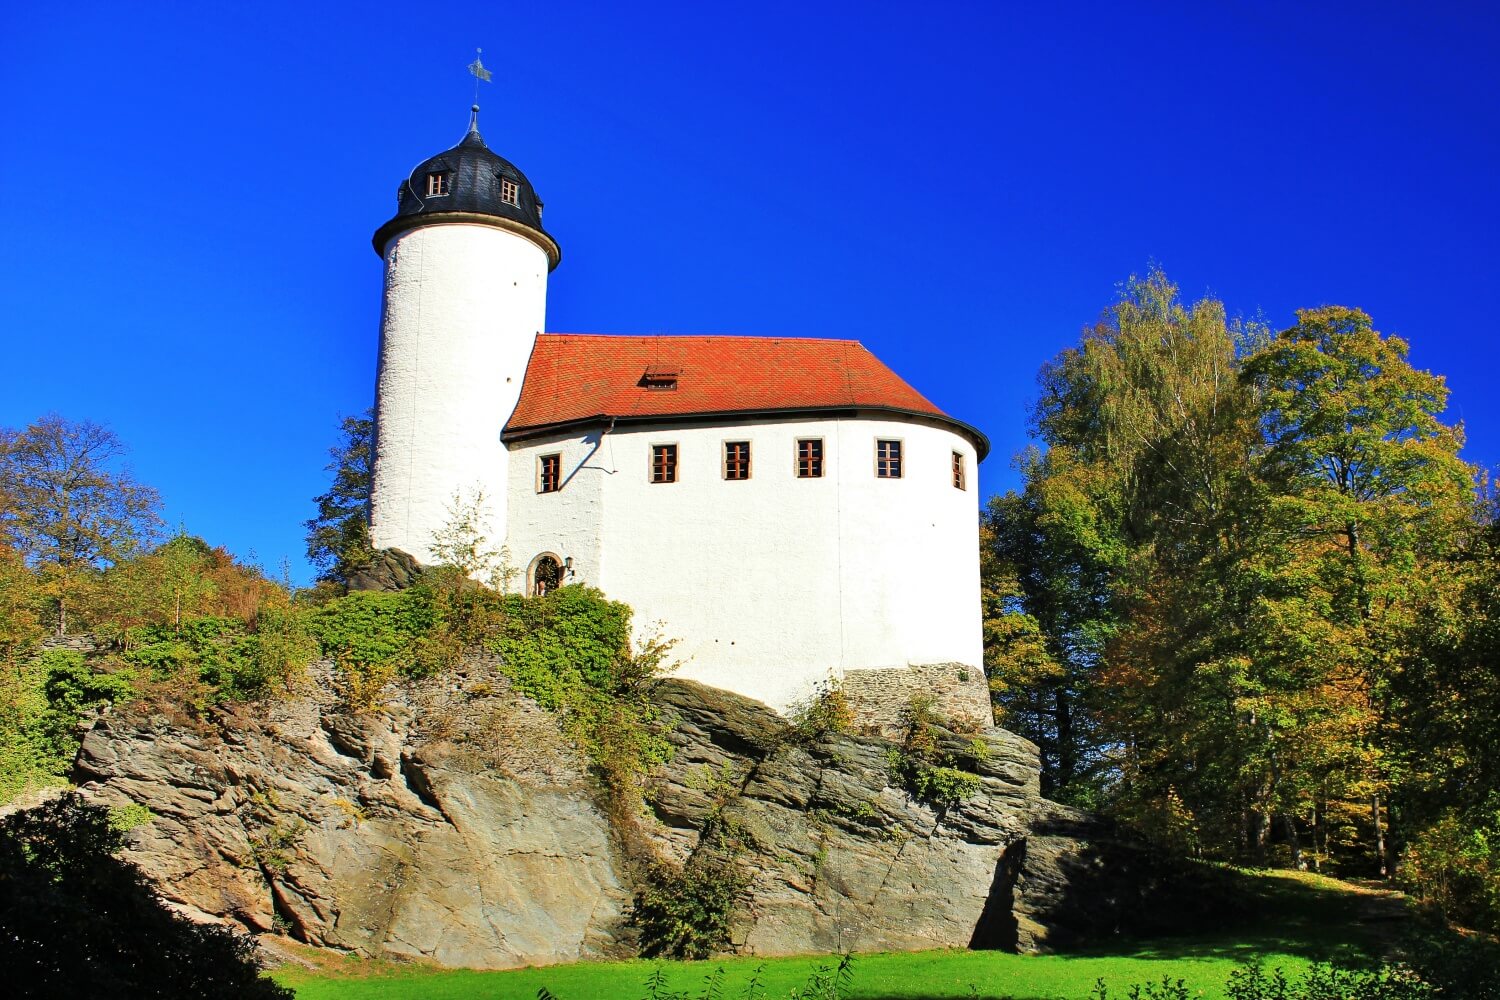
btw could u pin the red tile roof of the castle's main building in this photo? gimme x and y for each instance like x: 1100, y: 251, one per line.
x: 580, y: 377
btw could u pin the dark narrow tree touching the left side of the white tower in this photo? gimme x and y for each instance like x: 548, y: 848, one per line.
x: 338, y: 537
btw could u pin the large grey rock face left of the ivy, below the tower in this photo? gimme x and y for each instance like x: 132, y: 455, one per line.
x: 449, y: 827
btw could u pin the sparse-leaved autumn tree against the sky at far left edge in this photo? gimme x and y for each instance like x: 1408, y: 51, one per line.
x: 68, y: 509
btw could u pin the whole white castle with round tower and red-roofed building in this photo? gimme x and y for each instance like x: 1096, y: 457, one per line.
x: 790, y: 510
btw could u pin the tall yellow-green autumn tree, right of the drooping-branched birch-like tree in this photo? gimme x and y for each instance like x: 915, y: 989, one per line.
x: 1370, y: 494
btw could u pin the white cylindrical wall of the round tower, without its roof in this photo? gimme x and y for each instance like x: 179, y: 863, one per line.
x: 463, y: 308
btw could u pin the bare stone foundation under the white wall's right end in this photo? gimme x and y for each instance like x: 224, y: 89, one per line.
x: 880, y: 698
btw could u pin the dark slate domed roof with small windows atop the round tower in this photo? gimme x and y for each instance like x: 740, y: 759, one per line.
x: 475, y: 185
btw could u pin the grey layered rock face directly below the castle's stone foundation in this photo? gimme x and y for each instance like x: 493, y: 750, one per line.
x: 841, y: 860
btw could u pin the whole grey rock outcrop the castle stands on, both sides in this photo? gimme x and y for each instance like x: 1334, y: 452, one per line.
x: 457, y: 825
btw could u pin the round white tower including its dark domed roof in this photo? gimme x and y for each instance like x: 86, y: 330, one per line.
x: 467, y: 266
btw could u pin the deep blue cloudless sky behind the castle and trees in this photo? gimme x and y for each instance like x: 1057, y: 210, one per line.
x: 191, y: 191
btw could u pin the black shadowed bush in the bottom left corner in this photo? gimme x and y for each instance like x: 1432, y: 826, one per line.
x: 79, y: 923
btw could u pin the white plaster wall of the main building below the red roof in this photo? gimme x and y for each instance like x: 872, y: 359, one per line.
x: 772, y: 584
